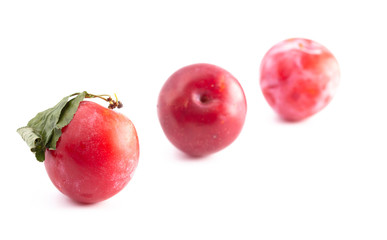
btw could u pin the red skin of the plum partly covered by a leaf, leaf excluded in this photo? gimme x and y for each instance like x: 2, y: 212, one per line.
x: 95, y: 156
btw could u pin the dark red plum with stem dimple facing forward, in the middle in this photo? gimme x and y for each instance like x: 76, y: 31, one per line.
x: 201, y: 109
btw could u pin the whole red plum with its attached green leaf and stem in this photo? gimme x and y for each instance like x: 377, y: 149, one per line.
x: 90, y: 152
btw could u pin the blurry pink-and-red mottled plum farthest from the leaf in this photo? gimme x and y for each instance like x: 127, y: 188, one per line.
x: 299, y: 78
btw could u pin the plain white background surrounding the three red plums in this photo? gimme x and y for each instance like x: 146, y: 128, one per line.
x: 323, y: 178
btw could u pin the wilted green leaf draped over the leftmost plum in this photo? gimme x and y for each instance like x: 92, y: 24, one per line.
x: 44, y: 130
